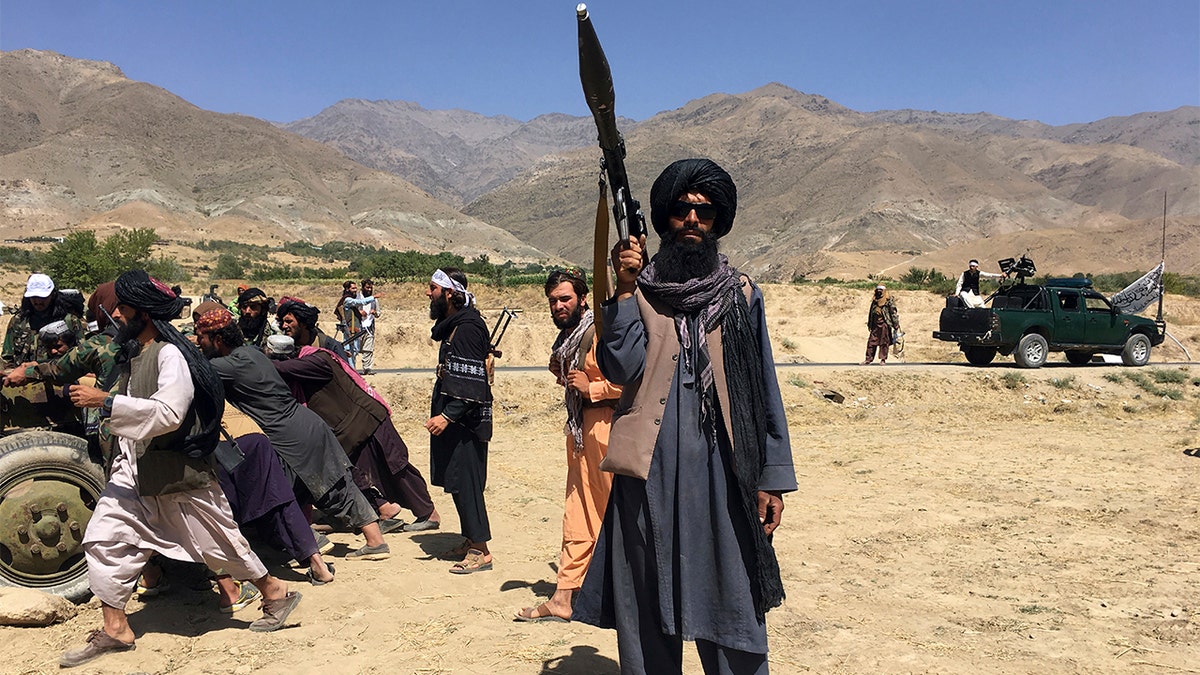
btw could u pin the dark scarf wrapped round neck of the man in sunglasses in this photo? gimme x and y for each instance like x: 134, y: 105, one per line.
x: 700, y: 307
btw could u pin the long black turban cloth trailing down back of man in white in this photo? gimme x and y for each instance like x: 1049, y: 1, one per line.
x: 140, y: 291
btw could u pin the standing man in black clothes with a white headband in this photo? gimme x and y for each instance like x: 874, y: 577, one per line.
x: 461, y: 414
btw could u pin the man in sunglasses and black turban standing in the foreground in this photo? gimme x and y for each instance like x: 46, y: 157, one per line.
x: 699, y: 444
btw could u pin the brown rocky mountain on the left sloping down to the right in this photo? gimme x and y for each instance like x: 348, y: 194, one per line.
x: 82, y: 145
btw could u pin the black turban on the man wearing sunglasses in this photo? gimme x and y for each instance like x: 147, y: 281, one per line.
x: 694, y: 176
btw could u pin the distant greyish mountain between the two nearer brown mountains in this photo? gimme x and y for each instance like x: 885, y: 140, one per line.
x: 455, y: 156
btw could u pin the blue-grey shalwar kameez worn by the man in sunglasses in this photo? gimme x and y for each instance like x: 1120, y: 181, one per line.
x: 673, y: 559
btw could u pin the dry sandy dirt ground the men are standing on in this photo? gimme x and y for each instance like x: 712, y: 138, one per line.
x: 950, y: 519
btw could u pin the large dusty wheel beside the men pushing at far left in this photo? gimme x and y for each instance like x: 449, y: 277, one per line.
x: 49, y: 492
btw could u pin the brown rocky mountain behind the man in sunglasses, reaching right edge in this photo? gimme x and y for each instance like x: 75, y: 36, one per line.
x: 826, y: 189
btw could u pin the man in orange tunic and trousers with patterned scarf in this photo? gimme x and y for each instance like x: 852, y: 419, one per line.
x: 590, y: 402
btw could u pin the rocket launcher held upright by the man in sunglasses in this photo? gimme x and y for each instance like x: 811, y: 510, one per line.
x: 597, y: 81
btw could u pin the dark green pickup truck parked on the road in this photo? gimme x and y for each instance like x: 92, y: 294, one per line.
x: 1030, y: 321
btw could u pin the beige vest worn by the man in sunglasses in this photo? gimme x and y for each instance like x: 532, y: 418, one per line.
x: 639, y: 416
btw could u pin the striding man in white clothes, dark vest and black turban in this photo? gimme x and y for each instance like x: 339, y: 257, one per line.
x: 163, y: 494
